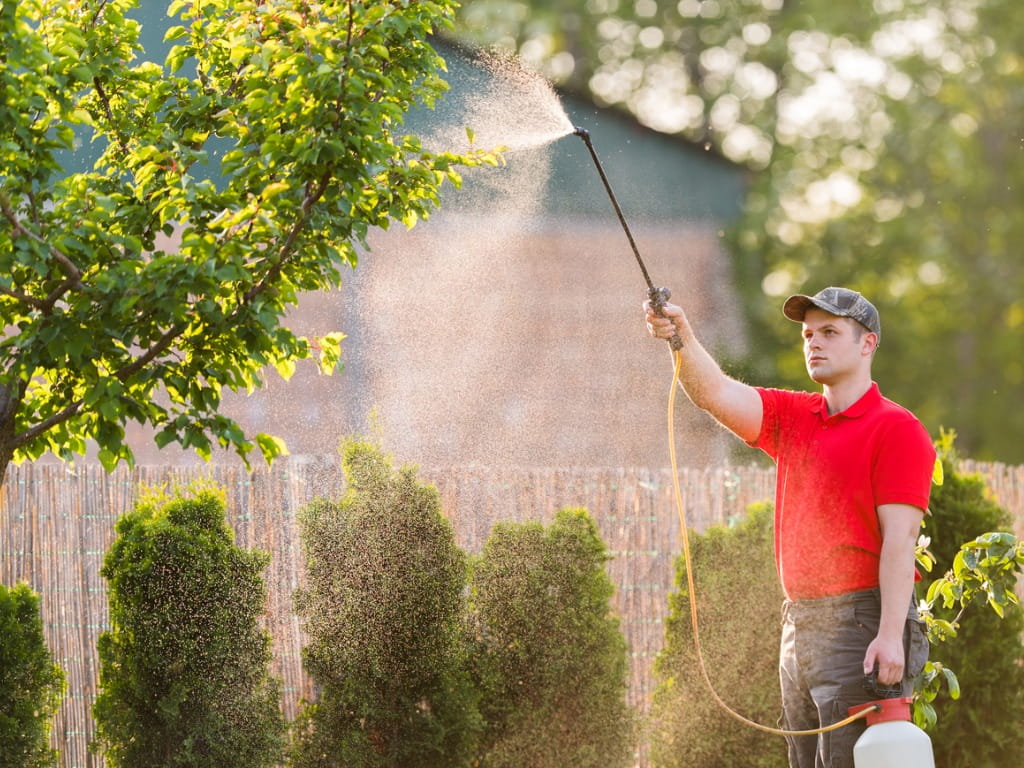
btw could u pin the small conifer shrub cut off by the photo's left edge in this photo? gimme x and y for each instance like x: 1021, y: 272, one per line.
x: 31, y: 685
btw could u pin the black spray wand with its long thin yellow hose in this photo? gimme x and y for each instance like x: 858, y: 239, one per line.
x: 659, y: 297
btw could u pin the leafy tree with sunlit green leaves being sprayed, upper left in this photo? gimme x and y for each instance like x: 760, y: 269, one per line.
x: 266, y: 146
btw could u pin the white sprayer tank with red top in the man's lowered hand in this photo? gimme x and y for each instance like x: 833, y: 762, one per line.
x: 892, y: 741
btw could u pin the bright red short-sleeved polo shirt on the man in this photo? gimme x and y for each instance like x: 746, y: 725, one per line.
x: 834, y: 472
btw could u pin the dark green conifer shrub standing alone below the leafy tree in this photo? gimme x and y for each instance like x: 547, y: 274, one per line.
x: 184, y: 668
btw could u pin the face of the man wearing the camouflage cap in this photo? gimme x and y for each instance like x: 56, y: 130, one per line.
x: 835, y: 348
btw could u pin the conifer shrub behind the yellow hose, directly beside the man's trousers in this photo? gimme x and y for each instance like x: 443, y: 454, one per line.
x: 739, y: 604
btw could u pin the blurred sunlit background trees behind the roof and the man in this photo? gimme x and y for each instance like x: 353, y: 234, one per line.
x: 886, y: 151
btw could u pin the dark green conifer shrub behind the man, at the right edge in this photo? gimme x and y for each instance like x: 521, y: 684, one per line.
x: 984, y: 729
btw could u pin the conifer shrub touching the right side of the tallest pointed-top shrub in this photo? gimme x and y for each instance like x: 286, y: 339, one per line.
x: 549, y: 657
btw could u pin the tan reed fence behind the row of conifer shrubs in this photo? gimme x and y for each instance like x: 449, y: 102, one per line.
x: 57, y: 526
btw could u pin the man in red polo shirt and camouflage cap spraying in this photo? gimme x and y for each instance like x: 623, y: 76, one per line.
x: 854, y: 483
